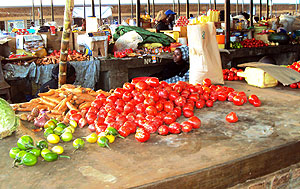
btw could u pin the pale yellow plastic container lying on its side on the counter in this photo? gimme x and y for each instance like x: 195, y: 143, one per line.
x: 258, y: 77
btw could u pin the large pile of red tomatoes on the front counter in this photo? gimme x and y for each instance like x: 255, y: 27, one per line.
x: 145, y: 107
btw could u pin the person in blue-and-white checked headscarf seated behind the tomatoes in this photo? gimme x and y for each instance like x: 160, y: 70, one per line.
x: 177, y: 70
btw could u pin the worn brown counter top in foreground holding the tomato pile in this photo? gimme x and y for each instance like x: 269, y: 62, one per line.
x: 218, y: 155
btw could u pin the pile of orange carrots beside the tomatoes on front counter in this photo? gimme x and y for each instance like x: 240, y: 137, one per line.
x: 58, y: 103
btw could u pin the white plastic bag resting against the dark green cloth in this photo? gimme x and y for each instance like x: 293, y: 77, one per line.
x: 128, y: 40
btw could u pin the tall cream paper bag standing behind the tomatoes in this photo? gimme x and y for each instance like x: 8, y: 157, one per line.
x: 205, y: 59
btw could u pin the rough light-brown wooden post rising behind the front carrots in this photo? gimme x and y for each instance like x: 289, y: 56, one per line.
x: 62, y: 77
